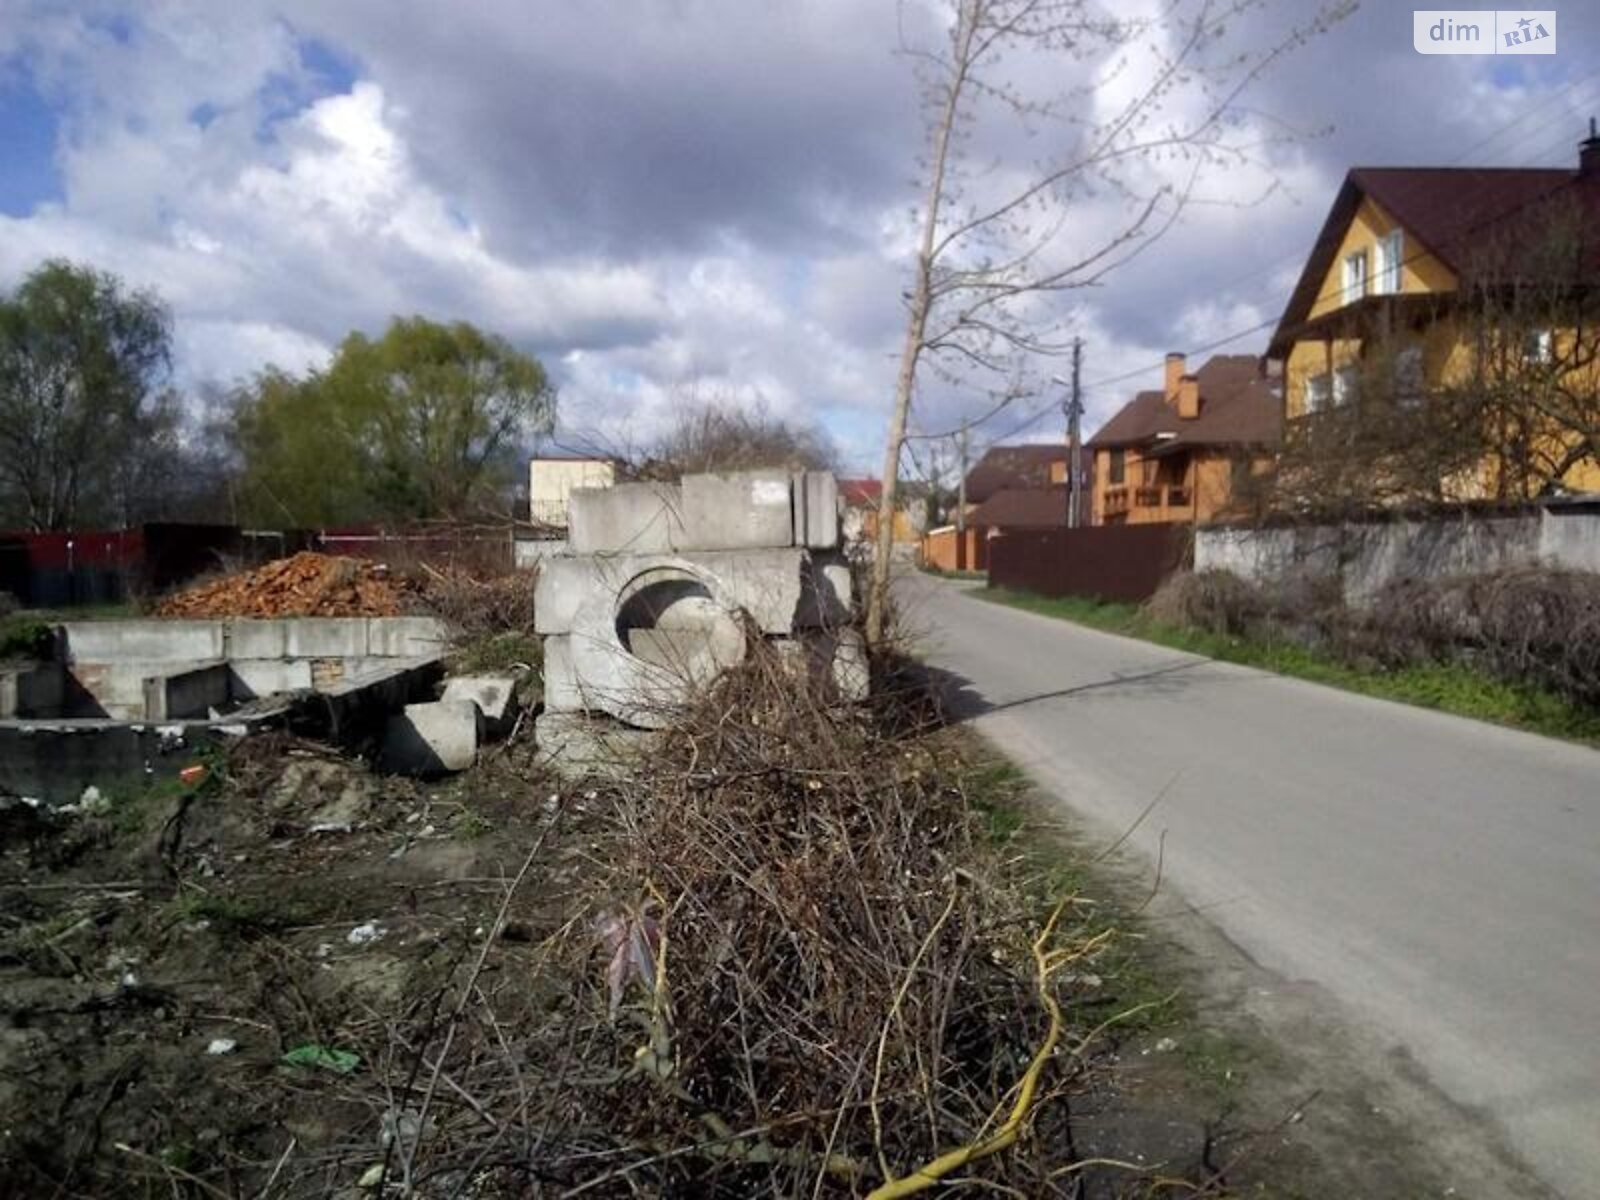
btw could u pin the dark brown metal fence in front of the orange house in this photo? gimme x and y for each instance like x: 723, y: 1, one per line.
x: 1106, y: 562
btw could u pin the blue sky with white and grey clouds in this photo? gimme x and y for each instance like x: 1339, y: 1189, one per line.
x: 686, y: 201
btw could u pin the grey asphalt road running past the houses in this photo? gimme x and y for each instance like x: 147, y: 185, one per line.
x: 1438, y: 876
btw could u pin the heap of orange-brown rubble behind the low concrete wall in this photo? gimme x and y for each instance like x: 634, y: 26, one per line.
x: 303, y: 585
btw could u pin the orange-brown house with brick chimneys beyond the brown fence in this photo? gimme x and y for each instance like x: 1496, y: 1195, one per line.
x: 1182, y: 454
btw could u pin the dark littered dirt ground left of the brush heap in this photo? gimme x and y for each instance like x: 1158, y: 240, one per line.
x: 159, y: 961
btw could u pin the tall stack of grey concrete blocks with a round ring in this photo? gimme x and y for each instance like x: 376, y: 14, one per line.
x: 666, y: 586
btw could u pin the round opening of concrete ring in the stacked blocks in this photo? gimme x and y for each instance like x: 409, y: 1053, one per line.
x: 670, y: 620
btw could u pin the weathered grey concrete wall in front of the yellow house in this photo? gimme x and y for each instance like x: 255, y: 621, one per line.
x: 1369, y: 556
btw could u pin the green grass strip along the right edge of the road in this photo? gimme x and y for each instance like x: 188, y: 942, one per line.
x: 1447, y: 687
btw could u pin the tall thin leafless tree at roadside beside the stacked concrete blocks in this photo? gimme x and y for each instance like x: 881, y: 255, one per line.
x: 996, y: 236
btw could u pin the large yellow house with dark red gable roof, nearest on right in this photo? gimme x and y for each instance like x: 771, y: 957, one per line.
x: 1398, y: 279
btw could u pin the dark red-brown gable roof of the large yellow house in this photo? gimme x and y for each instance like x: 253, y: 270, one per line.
x: 1447, y: 210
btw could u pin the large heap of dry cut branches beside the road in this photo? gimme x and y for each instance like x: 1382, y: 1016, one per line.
x: 793, y: 969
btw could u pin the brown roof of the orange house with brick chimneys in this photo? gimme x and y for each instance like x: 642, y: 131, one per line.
x: 1239, y: 406
